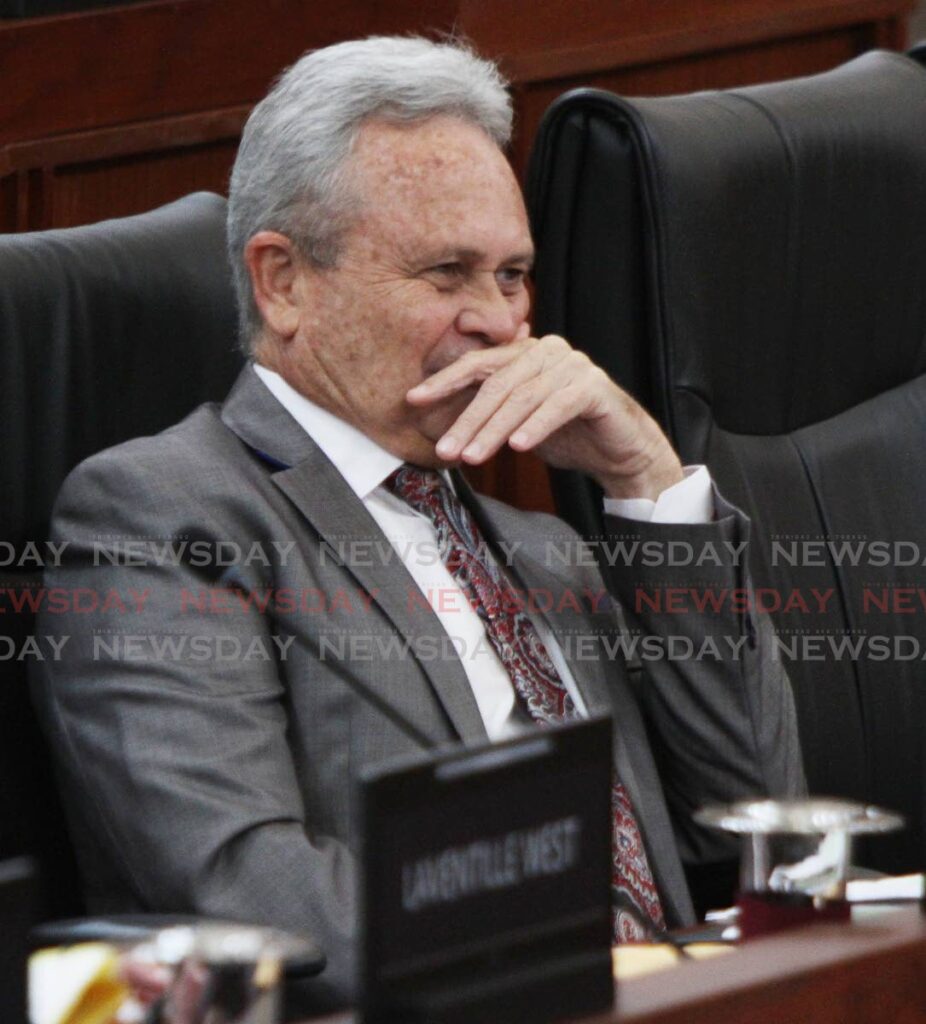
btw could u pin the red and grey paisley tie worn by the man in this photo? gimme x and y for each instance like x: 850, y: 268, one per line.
x: 536, y: 681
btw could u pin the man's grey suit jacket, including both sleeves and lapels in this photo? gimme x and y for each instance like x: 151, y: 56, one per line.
x: 207, y: 733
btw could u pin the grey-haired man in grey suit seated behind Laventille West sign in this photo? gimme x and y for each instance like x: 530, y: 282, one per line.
x: 382, y: 252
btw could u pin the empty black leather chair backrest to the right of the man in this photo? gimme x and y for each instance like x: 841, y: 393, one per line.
x: 750, y: 265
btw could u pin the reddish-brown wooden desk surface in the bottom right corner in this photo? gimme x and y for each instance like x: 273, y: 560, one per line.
x: 829, y: 974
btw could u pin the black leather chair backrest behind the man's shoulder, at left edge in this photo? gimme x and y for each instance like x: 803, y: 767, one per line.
x: 107, y: 332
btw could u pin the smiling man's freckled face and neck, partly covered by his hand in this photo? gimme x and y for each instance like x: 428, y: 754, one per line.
x: 434, y: 266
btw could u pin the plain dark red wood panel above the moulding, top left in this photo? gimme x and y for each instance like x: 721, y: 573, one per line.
x: 135, y: 64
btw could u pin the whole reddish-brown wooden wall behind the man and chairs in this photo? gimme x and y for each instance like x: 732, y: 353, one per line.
x: 116, y: 111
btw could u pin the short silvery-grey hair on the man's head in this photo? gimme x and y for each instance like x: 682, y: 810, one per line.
x: 288, y: 176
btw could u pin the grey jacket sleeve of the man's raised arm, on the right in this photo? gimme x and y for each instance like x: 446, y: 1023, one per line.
x: 718, y: 701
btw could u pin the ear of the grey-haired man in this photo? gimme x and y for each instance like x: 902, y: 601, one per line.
x: 276, y: 271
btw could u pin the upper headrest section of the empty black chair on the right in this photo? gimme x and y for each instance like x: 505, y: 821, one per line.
x: 784, y: 235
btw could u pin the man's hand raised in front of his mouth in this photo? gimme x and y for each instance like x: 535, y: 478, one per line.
x: 540, y: 395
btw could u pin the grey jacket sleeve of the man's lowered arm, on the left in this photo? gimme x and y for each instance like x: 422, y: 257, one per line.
x: 170, y: 721
